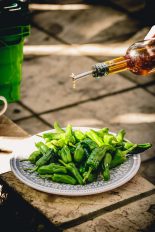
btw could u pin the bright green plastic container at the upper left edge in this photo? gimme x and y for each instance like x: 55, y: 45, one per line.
x: 11, y: 59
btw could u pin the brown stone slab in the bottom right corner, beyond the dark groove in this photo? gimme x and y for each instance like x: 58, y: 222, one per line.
x: 115, y: 222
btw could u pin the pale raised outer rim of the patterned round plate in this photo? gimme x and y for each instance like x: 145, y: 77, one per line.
x: 134, y: 169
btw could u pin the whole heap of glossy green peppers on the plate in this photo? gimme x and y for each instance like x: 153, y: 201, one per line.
x: 73, y: 157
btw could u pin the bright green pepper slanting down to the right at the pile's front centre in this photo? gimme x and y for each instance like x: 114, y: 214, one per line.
x: 72, y: 168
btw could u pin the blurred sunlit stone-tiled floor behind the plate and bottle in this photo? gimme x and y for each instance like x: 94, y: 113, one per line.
x: 71, y: 36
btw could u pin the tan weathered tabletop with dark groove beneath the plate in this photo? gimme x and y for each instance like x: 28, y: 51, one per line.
x: 128, y: 208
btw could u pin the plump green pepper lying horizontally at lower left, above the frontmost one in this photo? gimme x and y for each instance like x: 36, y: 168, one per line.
x: 51, y: 168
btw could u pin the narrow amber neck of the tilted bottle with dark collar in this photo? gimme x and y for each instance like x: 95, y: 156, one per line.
x: 112, y: 66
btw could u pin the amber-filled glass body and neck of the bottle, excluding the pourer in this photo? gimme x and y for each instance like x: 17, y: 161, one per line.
x: 139, y: 59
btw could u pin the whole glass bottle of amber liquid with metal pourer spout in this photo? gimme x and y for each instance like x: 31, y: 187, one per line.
x: 139, y: 59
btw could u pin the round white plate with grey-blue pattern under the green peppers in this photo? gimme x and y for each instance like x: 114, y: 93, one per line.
x: 119, y: 175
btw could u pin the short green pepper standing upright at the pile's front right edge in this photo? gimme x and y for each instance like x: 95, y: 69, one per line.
x: 106, y: 166
